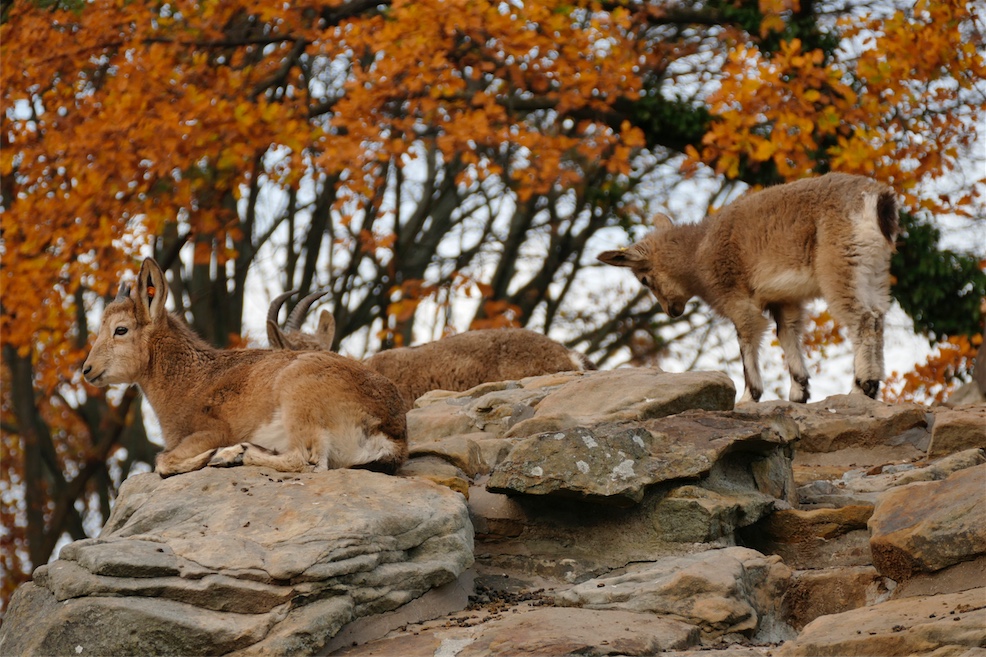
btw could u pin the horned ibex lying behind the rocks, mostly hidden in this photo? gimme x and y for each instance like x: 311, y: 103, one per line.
x: 457, y: 363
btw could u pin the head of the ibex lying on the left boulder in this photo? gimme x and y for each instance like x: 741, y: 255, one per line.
x: 120, y: 353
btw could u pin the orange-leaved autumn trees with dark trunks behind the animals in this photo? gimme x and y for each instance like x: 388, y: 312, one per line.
x: 437, y: 165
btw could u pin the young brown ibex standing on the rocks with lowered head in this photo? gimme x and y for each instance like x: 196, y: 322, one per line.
x: 774, y: 250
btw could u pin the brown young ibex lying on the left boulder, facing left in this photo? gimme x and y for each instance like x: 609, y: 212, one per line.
x: 291, y: 411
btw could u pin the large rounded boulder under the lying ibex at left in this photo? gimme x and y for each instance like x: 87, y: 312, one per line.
x: 244, y: 560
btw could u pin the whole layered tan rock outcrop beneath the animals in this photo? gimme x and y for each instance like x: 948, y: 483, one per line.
x: 629, y: 512
